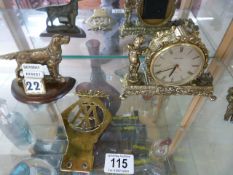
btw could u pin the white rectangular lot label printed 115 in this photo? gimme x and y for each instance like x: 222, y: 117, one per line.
x: 119, y: 163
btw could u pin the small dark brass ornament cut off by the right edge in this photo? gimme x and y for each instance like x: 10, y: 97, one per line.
x: 229, y: 112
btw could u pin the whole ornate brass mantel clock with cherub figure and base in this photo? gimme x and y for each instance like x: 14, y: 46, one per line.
x: 175, y: 64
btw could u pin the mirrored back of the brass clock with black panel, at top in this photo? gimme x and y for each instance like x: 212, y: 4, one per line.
x: 150, y: 16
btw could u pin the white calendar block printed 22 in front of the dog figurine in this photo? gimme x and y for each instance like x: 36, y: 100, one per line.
x: 33, y: 86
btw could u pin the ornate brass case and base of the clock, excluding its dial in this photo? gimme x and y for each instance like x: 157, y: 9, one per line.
x: 198, y: 84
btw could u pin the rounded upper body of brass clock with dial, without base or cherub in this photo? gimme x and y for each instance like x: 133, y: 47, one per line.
x: 191, y: 53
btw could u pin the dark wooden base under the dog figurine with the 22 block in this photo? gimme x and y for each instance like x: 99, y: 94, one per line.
x: 54, y: 91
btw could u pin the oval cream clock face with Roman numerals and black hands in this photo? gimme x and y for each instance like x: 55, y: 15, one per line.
x: 177, y: 64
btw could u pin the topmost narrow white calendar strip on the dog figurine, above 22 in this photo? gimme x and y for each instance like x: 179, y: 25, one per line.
x: 35, y: 68
